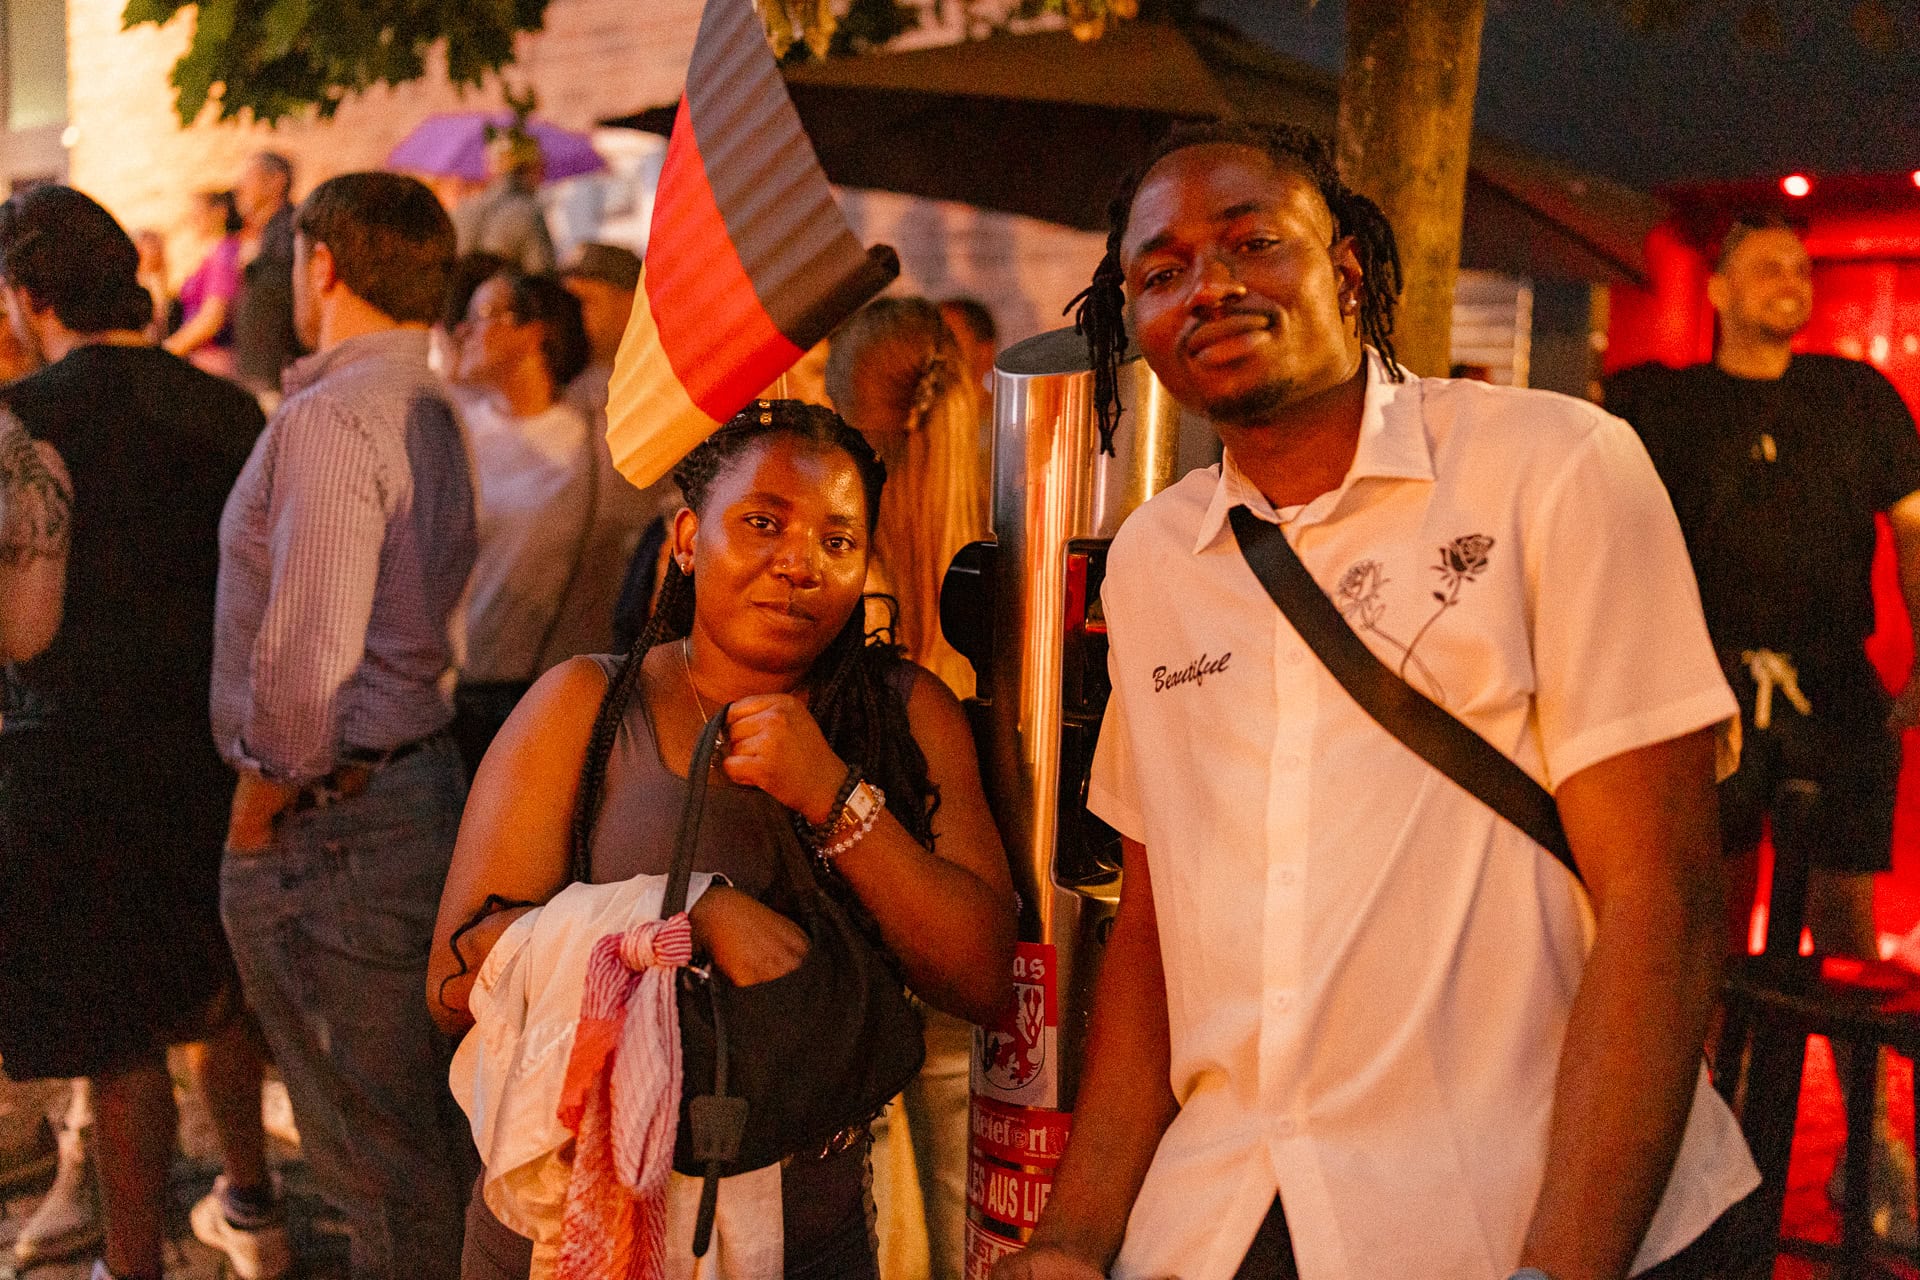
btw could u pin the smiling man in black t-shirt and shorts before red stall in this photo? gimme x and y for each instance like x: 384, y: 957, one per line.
x: 1779, y: 465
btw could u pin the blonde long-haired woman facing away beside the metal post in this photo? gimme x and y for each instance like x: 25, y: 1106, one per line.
x: 896, y: 373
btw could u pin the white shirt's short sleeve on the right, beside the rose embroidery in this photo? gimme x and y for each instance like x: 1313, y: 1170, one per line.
x: 1621, y: 650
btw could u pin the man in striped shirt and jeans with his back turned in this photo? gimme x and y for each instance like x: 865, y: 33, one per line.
x: 345, y: 554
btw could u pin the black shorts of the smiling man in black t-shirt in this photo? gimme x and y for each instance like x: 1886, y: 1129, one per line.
x: 1840, y: 761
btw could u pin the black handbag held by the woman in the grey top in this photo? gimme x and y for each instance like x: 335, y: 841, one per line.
x: 782, y: 1068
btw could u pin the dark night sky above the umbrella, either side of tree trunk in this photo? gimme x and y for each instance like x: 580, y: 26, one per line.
x: 1577, y: 83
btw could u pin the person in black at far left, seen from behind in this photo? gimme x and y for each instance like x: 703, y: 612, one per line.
x: 112, y: 795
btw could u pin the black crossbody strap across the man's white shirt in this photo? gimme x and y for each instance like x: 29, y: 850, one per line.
x: 1422, y: 724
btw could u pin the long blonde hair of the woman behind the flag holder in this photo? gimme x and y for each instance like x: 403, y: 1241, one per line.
x: 896, y: 373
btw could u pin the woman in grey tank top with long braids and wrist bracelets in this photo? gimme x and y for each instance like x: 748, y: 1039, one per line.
x: 761, y: 609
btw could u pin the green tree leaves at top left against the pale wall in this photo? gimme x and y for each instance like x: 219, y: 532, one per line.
x: 277, y: 59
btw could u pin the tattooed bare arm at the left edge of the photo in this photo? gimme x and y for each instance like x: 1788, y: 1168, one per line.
x: 36, y: 531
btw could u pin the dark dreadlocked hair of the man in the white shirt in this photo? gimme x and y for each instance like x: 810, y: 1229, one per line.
x: 1101, y: 310
